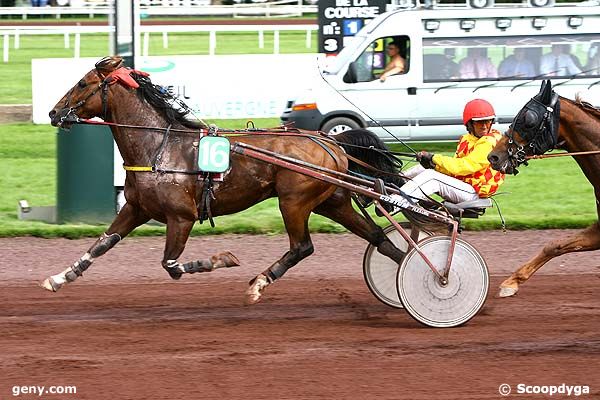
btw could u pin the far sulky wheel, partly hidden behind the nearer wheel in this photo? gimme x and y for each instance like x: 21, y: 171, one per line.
x: 380, y: 271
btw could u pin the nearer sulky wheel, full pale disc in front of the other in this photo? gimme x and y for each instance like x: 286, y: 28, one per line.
x: 433, y: 304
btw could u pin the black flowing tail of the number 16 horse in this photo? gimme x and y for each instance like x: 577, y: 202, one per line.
x: 368, y: 148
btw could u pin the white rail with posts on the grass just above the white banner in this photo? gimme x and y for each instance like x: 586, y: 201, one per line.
x: 145, y: 30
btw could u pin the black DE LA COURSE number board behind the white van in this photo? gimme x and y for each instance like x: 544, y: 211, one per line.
x: 340, y: 20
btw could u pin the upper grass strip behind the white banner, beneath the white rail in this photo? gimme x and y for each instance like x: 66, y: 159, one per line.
x: 16, y: 74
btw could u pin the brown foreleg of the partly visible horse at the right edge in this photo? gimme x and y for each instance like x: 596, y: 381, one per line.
x: 586, y: 240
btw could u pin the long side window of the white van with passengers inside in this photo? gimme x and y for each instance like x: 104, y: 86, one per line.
x: 512, y: 57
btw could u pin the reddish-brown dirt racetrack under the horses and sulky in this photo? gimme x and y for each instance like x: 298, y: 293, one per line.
x: 126, y: 331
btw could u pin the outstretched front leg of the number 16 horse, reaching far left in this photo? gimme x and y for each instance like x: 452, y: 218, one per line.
x: 127, y: 220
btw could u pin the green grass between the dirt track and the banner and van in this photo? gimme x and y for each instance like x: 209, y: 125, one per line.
x: 550, y: 193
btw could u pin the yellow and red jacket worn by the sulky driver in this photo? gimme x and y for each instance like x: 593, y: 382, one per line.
x: 470, y: 163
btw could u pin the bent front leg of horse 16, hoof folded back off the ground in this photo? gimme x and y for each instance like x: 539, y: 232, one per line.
x: 178, y: 231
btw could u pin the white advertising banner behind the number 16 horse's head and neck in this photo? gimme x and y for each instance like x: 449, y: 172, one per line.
x: 222, y: 87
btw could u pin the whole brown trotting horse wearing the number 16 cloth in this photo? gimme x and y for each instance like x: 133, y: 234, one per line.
x: 150, y: 131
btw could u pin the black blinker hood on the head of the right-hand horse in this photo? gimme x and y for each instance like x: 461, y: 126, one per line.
x: 540, y: 135
